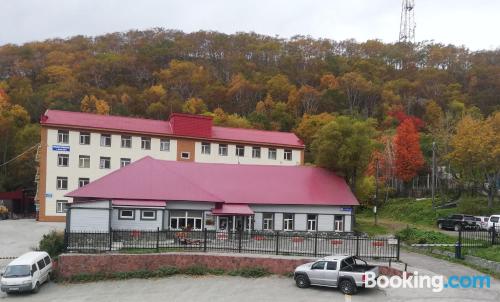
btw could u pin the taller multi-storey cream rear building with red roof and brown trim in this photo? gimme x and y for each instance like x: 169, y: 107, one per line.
x: 77, y: 148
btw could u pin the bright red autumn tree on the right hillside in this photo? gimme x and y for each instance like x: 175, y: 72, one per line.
x: 409, y: 158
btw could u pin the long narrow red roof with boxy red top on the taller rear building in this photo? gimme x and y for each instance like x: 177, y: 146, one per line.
x: 186, y: 126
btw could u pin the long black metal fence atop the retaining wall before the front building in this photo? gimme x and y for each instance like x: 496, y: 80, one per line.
x: 257, y: 242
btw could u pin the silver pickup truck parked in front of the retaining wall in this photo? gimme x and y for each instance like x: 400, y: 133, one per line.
x: 342, y: 271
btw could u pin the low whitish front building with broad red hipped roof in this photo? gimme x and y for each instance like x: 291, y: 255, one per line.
x: 153, y: 194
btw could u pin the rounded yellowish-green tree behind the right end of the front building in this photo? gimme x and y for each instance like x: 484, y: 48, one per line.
x: 344, y: 146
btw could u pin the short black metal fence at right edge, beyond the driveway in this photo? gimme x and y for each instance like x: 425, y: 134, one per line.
x: 469, y: 239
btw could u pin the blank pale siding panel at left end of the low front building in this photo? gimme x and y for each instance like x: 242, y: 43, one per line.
x: 89, y: 219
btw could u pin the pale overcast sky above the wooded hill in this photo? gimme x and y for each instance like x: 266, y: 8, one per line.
x: 473, y: 23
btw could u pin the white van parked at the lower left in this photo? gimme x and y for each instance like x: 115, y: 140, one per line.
x: 26, y: 273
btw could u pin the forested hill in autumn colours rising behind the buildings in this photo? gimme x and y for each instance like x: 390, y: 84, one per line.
x: 368, y: 98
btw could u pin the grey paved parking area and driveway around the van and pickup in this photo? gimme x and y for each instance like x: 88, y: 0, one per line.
x: 17, y: 237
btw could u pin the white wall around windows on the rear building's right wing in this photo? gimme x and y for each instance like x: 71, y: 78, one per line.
x: 231, y: 157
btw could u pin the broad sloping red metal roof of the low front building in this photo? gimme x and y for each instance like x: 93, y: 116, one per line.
x: 151, y: 179
